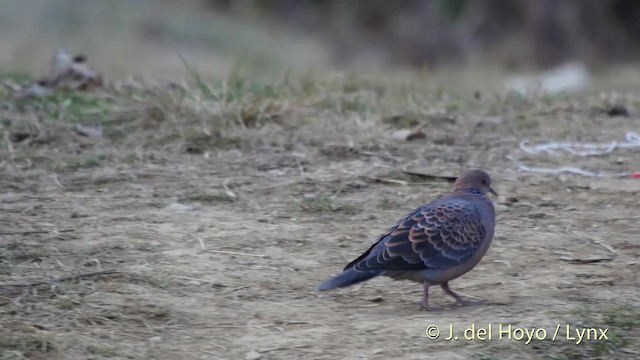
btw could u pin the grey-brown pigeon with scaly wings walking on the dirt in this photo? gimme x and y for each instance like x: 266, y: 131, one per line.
x: 434, y: 244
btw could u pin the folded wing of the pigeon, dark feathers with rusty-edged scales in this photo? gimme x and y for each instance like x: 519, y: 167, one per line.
x: 436, y: 236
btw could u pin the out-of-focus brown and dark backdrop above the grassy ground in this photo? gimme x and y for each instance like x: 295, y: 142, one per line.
x: 149, y: 37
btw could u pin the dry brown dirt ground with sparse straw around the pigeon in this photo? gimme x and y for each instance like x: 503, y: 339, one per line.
x: 215, y: 249
